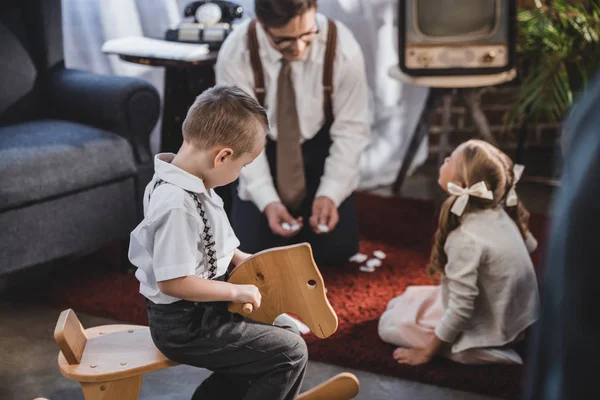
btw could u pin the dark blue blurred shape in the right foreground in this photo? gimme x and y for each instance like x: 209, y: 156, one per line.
x: 566, y: 348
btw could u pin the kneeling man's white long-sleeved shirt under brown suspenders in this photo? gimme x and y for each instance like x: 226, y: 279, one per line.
x: 350, y: 132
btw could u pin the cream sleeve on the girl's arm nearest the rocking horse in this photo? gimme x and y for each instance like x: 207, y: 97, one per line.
x: 464, y: 257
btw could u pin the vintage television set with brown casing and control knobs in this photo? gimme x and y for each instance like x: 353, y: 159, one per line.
x: 455, y: 38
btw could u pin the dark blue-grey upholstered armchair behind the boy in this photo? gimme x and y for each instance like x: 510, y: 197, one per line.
x: 74, y: 147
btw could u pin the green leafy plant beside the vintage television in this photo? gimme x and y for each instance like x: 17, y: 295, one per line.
x: 558, y: 49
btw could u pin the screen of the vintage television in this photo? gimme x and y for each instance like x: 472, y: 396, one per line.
x: 448, y: 18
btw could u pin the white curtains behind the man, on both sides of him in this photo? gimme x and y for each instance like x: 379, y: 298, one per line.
x: 395, y: 107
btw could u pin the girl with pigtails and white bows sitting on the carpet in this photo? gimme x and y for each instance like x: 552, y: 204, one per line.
x: 488, y: 294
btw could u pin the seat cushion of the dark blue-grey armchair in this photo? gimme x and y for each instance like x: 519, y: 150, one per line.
x: 48, y: 158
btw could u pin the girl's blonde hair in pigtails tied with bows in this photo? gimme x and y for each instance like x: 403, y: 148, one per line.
x: 477, y: 161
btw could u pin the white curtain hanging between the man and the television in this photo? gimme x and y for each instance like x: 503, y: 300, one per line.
x: 395, y: 107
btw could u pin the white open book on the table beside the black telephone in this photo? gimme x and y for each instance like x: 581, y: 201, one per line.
x: 139, y: 46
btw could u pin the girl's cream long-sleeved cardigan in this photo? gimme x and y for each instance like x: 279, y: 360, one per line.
x: 489, y: 286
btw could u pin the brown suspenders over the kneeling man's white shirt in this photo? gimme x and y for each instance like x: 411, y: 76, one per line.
x: 259, y: 80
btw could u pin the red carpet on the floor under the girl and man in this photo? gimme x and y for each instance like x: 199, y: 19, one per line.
x: 402, y: 228
